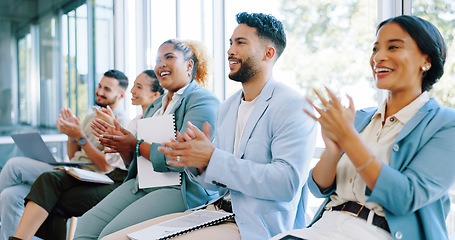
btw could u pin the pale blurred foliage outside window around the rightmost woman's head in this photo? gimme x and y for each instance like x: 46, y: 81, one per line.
x: 330, y: 42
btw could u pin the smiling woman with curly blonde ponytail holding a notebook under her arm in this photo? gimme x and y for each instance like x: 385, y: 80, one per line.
x: 180, y: 66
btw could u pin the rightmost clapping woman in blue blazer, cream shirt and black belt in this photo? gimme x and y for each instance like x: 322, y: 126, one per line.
x: 386, y: 172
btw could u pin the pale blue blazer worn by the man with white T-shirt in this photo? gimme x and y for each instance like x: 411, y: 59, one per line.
x: 266, y: 177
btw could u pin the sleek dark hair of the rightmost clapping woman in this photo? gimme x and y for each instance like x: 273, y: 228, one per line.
x: 430, y: 42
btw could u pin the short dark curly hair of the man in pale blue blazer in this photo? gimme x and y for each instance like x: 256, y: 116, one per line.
x: 267, y: 27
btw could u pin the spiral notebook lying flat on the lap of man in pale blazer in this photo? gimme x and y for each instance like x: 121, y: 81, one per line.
x: 181, y: 225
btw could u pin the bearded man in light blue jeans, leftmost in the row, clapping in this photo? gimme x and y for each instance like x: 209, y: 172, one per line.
x: 18, y: 174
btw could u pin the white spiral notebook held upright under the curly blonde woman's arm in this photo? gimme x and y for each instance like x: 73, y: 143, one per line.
x: 156, y: 129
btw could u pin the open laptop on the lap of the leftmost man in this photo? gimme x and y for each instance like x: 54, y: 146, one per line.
x: 33, y: 146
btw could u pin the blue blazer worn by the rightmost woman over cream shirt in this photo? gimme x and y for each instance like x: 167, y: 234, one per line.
x: 413, y: 190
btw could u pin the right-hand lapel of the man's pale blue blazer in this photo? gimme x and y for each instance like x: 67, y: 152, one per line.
x: 259, y: 109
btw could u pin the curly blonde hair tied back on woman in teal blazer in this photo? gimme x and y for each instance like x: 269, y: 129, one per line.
x: 197, y: 52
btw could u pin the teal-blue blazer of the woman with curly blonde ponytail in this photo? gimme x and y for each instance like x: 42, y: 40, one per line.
x: 196, y: 105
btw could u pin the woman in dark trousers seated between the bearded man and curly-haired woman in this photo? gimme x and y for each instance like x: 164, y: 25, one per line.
x: 58, y: 193
